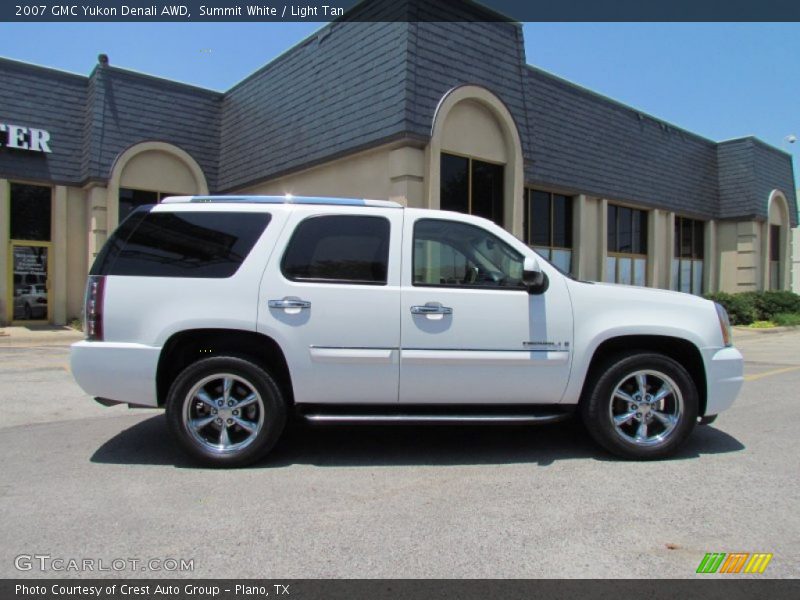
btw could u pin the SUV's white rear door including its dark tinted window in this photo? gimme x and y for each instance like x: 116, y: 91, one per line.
x: 330, y: 297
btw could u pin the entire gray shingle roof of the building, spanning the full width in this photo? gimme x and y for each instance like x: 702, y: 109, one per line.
x: 356, y: 85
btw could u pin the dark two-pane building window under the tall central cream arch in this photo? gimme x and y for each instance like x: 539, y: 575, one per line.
x: 472, y: 186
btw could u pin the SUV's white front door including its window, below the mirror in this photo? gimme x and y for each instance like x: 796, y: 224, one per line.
x: 471, y: 333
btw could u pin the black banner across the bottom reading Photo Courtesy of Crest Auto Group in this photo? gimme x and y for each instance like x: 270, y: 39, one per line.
x: 728, y: 588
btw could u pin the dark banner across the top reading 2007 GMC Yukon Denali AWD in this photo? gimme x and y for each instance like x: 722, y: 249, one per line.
x: 397, y: 10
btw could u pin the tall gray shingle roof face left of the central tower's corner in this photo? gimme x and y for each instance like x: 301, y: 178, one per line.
x: 335, y: 92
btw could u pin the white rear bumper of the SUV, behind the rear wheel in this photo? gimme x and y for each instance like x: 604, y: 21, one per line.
x: 121, y: 372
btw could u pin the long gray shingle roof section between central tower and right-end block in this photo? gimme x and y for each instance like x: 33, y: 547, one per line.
x: 584, y: 142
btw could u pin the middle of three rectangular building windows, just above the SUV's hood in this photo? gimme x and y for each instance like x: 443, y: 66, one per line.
x: 627, y: 245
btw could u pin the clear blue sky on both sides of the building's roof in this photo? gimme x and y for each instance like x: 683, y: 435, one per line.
x: 721, y: 80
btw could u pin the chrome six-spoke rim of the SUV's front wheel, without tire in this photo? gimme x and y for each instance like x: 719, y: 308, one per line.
x: 645, y: 407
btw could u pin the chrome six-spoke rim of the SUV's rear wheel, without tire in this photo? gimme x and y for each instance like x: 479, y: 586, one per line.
x: 223, y: 412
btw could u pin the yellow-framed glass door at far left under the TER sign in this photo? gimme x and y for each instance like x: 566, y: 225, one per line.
x: 30, y: 282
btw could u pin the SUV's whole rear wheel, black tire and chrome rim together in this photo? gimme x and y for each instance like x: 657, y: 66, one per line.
x: 254, y: 400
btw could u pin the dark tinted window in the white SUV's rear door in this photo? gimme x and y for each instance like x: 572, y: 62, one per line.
x: 339, y: 249
